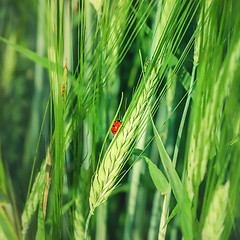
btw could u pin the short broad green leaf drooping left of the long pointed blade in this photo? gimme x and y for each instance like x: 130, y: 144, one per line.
x: 157, y: 176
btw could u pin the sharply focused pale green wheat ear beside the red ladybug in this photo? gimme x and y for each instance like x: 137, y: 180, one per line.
x: 106, y: 176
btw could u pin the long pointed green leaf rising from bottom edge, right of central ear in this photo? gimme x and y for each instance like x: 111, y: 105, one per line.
x: 179, y: 191
